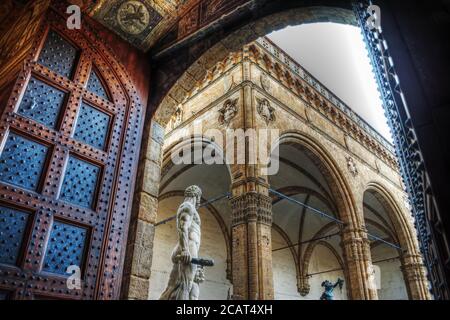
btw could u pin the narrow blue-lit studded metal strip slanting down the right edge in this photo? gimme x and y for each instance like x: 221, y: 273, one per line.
x: 407, y: 149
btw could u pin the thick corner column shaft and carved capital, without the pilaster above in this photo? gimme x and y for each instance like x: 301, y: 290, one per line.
x: 252, y: 246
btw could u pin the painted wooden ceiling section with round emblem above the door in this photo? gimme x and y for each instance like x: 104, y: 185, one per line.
x: 143, y: 23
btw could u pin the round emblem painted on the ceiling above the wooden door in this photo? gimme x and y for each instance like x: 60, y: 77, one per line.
x: 133, y: 17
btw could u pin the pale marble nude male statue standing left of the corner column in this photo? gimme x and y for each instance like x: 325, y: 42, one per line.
x: 186, y: 276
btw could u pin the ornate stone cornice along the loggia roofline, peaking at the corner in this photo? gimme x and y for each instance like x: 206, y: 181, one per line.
x: 307, y: 89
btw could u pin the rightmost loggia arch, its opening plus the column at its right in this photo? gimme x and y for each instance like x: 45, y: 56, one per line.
x: 398, y: 267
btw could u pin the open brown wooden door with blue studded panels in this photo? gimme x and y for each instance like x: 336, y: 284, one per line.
x: 69, y: 138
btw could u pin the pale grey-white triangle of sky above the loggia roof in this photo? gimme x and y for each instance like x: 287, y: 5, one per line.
x: 335, y: 55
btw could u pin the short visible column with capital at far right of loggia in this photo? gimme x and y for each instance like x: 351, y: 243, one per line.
x: 415, y: 277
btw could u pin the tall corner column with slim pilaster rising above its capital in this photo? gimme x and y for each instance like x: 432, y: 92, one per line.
x: 251, y: 205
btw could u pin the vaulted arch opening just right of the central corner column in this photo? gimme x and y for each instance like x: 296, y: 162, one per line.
x: 306, y: 247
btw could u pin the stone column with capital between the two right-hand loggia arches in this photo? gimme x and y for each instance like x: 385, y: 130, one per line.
x: 356, y: 248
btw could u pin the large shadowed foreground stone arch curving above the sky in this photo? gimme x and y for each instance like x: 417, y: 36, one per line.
x: 175, y: 91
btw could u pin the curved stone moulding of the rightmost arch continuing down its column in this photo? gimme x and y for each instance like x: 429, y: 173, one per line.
x: 410, y: 257
